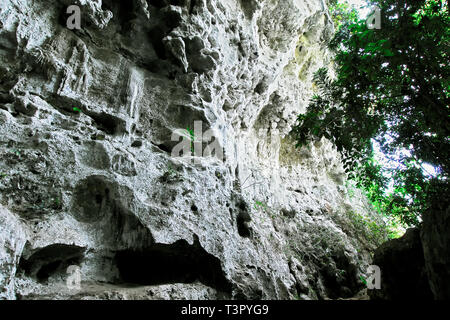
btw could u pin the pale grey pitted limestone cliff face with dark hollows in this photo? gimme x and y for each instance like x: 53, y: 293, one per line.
x: 90, y: 172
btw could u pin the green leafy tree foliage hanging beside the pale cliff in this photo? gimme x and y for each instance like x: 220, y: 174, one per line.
x: 392, y: 88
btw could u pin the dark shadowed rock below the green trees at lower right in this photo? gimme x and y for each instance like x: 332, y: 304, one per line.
x: 417, y: 266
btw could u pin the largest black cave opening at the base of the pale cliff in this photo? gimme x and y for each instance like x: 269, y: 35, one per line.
x: 171, y: 263
